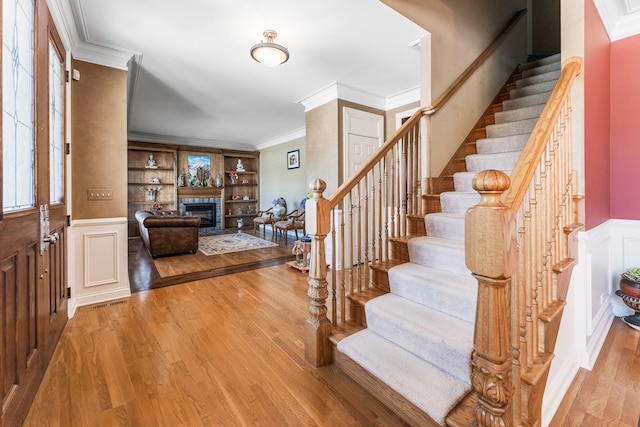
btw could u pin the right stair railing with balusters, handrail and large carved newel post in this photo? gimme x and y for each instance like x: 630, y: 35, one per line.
x: 519, y: 247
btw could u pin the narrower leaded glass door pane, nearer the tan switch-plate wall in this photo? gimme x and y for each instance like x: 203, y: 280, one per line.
x: 56, y: 127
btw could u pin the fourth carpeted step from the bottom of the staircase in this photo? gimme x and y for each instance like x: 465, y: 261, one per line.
x: 436, y: 252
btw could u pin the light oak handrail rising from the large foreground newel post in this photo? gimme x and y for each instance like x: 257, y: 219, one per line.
x: 527, y: 163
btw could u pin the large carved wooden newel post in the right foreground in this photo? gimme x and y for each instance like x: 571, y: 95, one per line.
x: 490, y: 236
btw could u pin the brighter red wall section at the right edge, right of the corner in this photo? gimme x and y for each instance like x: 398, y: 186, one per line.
x: 625, y: 128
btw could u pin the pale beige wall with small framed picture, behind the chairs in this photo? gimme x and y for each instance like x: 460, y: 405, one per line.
x: 278, y: 181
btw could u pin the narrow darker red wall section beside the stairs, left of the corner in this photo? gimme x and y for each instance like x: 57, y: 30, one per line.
x: 597, y: 77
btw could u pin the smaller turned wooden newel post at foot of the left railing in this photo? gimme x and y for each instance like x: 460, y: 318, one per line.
x: 317, y: 327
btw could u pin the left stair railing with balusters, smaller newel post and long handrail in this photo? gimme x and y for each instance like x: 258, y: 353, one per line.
x: 365, y: 212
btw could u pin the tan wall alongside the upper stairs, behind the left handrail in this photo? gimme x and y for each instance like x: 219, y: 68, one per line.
x: 459, y: 32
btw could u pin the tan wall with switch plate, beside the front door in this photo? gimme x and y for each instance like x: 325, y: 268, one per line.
x: 99, y: 140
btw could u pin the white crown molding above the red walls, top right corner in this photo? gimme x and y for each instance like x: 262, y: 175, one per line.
x: 621, y: 18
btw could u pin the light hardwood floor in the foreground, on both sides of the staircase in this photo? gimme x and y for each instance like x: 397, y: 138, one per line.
x: 228, y: 351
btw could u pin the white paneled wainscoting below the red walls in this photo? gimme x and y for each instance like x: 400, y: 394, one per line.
x: 604, y: 252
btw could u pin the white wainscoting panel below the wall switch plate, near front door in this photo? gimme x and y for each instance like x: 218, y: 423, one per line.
x: 98, y: 261
